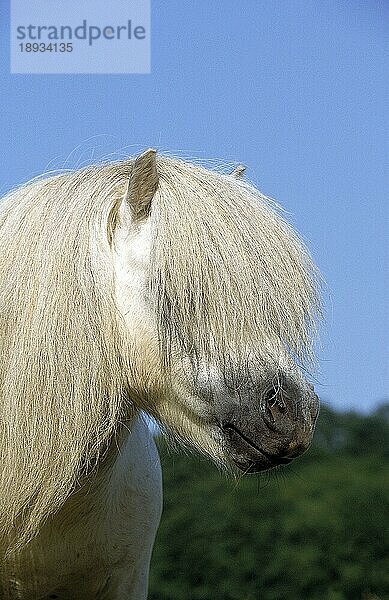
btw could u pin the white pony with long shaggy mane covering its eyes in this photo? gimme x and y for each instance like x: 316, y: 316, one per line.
x: 150, y: 284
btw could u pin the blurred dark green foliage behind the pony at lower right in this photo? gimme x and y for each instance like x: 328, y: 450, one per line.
x: 316, y: 530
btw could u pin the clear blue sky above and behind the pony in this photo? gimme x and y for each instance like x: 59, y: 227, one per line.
x: 294, y: 89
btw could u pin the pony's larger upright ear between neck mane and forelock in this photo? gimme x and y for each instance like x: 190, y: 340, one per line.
x: 142, y: 184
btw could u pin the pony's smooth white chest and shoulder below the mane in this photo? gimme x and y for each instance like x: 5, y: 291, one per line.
x: 99, y: 544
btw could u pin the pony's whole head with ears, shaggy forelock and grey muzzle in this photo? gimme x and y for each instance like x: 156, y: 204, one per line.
x: 218, y: 302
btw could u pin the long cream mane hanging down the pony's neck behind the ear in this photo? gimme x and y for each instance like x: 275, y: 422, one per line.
x: 61, y: 375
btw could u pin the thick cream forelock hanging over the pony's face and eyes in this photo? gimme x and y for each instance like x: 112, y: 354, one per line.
x: 228, y: 273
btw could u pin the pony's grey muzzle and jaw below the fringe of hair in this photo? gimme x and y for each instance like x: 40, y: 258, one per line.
x: 249, y: 429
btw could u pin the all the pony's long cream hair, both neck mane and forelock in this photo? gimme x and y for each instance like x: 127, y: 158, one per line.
x: 63, y: 382
